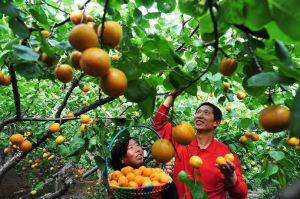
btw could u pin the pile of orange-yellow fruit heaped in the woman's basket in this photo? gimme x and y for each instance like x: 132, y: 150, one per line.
x: 129, y: 177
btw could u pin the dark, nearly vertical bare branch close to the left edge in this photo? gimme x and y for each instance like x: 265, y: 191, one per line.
x: 15, y: 90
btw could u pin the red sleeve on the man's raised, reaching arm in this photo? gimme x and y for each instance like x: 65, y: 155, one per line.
x: 160, y: 122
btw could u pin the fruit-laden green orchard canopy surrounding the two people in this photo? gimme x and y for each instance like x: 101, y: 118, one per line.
x: 241, y: 55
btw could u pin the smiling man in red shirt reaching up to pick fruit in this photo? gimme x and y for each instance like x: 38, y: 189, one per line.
x: 217, y: 180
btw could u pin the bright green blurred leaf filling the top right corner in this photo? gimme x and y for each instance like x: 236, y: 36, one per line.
x: 287, y: 16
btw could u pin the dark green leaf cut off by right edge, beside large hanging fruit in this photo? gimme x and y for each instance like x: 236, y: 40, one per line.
x: 295, y: 116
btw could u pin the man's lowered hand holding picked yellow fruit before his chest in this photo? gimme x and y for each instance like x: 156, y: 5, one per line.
x: 228, y: 169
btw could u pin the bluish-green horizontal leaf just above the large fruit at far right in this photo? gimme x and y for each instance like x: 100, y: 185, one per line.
x: 268, y: 79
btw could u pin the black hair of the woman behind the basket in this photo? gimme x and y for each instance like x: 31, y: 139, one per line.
x: 118, y: 151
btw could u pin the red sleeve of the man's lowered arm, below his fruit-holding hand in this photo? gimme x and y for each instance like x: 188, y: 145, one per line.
x: 239, y: 190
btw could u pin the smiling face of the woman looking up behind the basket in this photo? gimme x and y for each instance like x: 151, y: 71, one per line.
x: 134, y: 156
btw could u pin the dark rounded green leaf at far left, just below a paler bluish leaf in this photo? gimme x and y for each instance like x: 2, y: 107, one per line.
x: 28, y: 70
